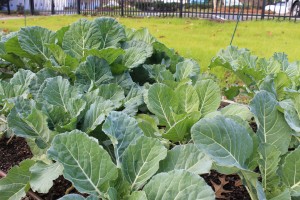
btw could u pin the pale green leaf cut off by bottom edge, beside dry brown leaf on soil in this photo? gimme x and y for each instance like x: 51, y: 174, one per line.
x: 178, y: 184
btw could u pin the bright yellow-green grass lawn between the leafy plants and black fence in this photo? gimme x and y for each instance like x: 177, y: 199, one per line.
x: 197, y: 39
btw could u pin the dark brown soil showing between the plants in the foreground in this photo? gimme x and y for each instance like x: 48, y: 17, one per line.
x: 227, y: 187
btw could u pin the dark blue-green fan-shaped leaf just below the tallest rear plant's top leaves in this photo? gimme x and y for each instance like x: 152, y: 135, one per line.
x: 93, y: 71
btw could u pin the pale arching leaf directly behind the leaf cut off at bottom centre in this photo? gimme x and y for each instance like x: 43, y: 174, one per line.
x: 188, y: 158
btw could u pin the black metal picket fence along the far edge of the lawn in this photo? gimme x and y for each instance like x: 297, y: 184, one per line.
x: 217, y: 9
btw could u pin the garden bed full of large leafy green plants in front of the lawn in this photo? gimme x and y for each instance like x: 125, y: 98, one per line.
x: 121, y: 116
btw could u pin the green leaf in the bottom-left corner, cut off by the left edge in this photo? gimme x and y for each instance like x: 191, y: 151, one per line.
x: 16, y: 183
